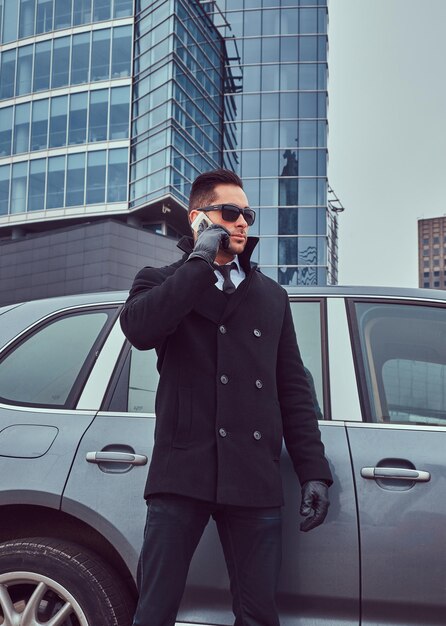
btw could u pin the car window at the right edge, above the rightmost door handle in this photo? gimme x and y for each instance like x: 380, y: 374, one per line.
x: 403, y: 356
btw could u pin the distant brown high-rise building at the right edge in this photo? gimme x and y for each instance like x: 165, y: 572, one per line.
x: 432, y: 252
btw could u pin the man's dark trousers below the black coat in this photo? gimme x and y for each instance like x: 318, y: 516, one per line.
x: 251, y: 540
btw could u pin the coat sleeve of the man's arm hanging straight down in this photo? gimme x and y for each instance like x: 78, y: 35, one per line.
x: 300, y: 428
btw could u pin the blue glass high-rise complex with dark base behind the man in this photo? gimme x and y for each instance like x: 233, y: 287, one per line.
x: 110, y: 108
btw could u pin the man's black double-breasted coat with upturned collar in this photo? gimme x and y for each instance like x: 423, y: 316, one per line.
x: 232, y: 384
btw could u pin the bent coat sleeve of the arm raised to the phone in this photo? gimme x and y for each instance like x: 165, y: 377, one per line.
x: 159, y: 300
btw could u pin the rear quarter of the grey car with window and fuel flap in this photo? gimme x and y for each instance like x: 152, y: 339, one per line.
x: 42, y: 372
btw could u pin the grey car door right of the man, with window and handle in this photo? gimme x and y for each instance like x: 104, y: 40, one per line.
x: 399, y: 460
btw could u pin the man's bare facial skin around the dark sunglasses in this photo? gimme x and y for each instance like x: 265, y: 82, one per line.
x: 229, y: 194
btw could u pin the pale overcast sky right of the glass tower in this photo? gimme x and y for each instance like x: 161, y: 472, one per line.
x: 387, y: 132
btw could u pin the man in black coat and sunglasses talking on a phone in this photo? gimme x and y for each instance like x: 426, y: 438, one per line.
x: 231, y: 384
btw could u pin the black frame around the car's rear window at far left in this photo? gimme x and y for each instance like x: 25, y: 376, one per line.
x: 112, y: 311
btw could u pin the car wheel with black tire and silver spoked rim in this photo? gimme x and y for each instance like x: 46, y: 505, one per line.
x: 42, y: 578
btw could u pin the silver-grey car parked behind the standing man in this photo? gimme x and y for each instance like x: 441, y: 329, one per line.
x: 76, y: 429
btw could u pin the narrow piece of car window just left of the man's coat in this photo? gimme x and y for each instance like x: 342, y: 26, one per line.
x: 143, y: 381
